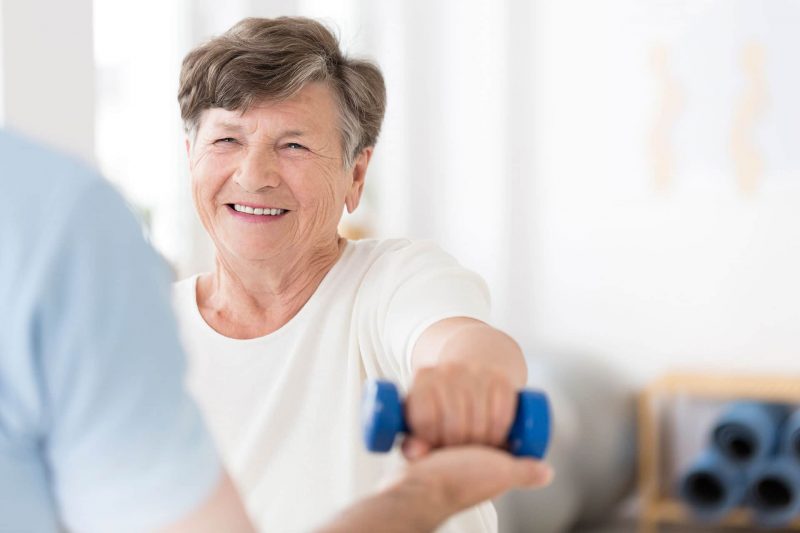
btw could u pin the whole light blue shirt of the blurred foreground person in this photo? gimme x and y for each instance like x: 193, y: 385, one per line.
x: 96, y: 431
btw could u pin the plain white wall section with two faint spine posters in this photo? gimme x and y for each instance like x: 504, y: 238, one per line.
x: 700, y: 272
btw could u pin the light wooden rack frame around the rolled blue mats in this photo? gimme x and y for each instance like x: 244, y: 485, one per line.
x: 658, y: 507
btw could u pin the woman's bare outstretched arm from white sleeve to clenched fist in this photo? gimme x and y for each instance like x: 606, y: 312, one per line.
x: 466, y: 379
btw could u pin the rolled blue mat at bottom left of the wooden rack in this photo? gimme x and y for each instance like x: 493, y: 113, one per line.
x: 713, y: 486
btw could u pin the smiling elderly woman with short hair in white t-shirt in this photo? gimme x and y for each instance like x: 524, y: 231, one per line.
x: 282, y: 334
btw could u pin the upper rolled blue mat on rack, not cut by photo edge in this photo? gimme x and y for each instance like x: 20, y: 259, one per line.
x: 749, y: 432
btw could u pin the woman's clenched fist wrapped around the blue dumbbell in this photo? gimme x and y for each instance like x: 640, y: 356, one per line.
x: 456, y: 403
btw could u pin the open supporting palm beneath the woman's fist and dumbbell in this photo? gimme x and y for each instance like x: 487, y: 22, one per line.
x: 463, y: 476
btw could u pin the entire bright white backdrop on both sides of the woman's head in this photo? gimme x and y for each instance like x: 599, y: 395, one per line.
x: 625, y: 174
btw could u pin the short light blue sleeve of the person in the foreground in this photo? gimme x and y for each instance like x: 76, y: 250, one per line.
x: 126, y: 447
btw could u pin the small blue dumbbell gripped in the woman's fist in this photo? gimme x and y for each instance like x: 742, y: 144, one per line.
x: 383, y: 419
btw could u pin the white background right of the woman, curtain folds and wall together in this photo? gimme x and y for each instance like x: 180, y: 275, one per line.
x: 586, y: 158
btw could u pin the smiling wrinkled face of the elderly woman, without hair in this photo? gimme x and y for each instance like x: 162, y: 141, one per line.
x: 272, y: 180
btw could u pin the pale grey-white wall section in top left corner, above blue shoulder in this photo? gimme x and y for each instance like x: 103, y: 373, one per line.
x: 48, y: 72
